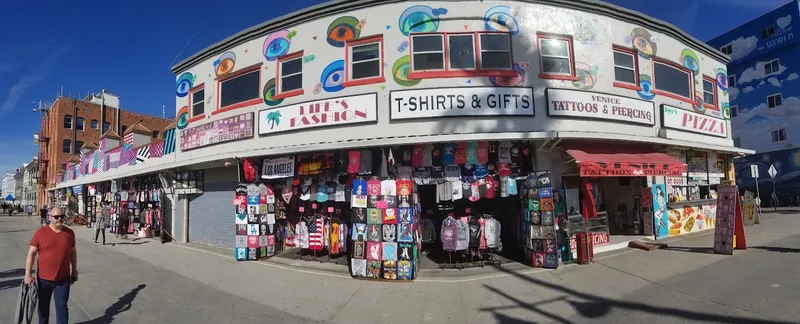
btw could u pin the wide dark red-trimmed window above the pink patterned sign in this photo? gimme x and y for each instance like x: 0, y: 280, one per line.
x: 240, y: 89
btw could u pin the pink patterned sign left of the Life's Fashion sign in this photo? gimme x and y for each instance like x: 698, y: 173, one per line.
x: 228, y: 129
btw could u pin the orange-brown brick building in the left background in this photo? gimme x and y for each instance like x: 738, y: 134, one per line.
x: 70, y: 123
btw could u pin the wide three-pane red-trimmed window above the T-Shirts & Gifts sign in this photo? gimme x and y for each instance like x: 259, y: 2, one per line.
x: 446, y: 55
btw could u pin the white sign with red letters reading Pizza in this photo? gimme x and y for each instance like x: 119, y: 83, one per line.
x: 689, y: 121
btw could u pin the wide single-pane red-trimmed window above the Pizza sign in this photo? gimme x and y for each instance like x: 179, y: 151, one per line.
x: 672, y: 80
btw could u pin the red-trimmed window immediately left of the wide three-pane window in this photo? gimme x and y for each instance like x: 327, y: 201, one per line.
x: 364, y: 61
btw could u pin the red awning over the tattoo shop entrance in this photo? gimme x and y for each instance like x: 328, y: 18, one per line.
x: 607, y: 160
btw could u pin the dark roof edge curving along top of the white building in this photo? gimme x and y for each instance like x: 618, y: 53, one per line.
x: 337, y: 7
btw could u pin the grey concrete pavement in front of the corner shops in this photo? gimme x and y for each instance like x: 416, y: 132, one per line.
x: 206, y: 285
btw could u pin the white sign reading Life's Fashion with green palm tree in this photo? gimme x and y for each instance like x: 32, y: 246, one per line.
x: 319, y: 113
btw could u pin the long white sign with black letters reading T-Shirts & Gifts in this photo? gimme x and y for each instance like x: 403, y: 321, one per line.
x: 466, y: 101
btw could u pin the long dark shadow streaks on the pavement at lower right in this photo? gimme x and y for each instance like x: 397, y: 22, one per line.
x: 592, y: 306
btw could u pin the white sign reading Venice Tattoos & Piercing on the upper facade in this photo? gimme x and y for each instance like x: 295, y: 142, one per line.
x: 592, y: 105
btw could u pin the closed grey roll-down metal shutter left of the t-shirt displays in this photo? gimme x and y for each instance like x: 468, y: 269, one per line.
x: 210, y: 213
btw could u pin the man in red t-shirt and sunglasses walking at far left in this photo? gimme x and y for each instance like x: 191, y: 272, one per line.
x: 57, y: 268
